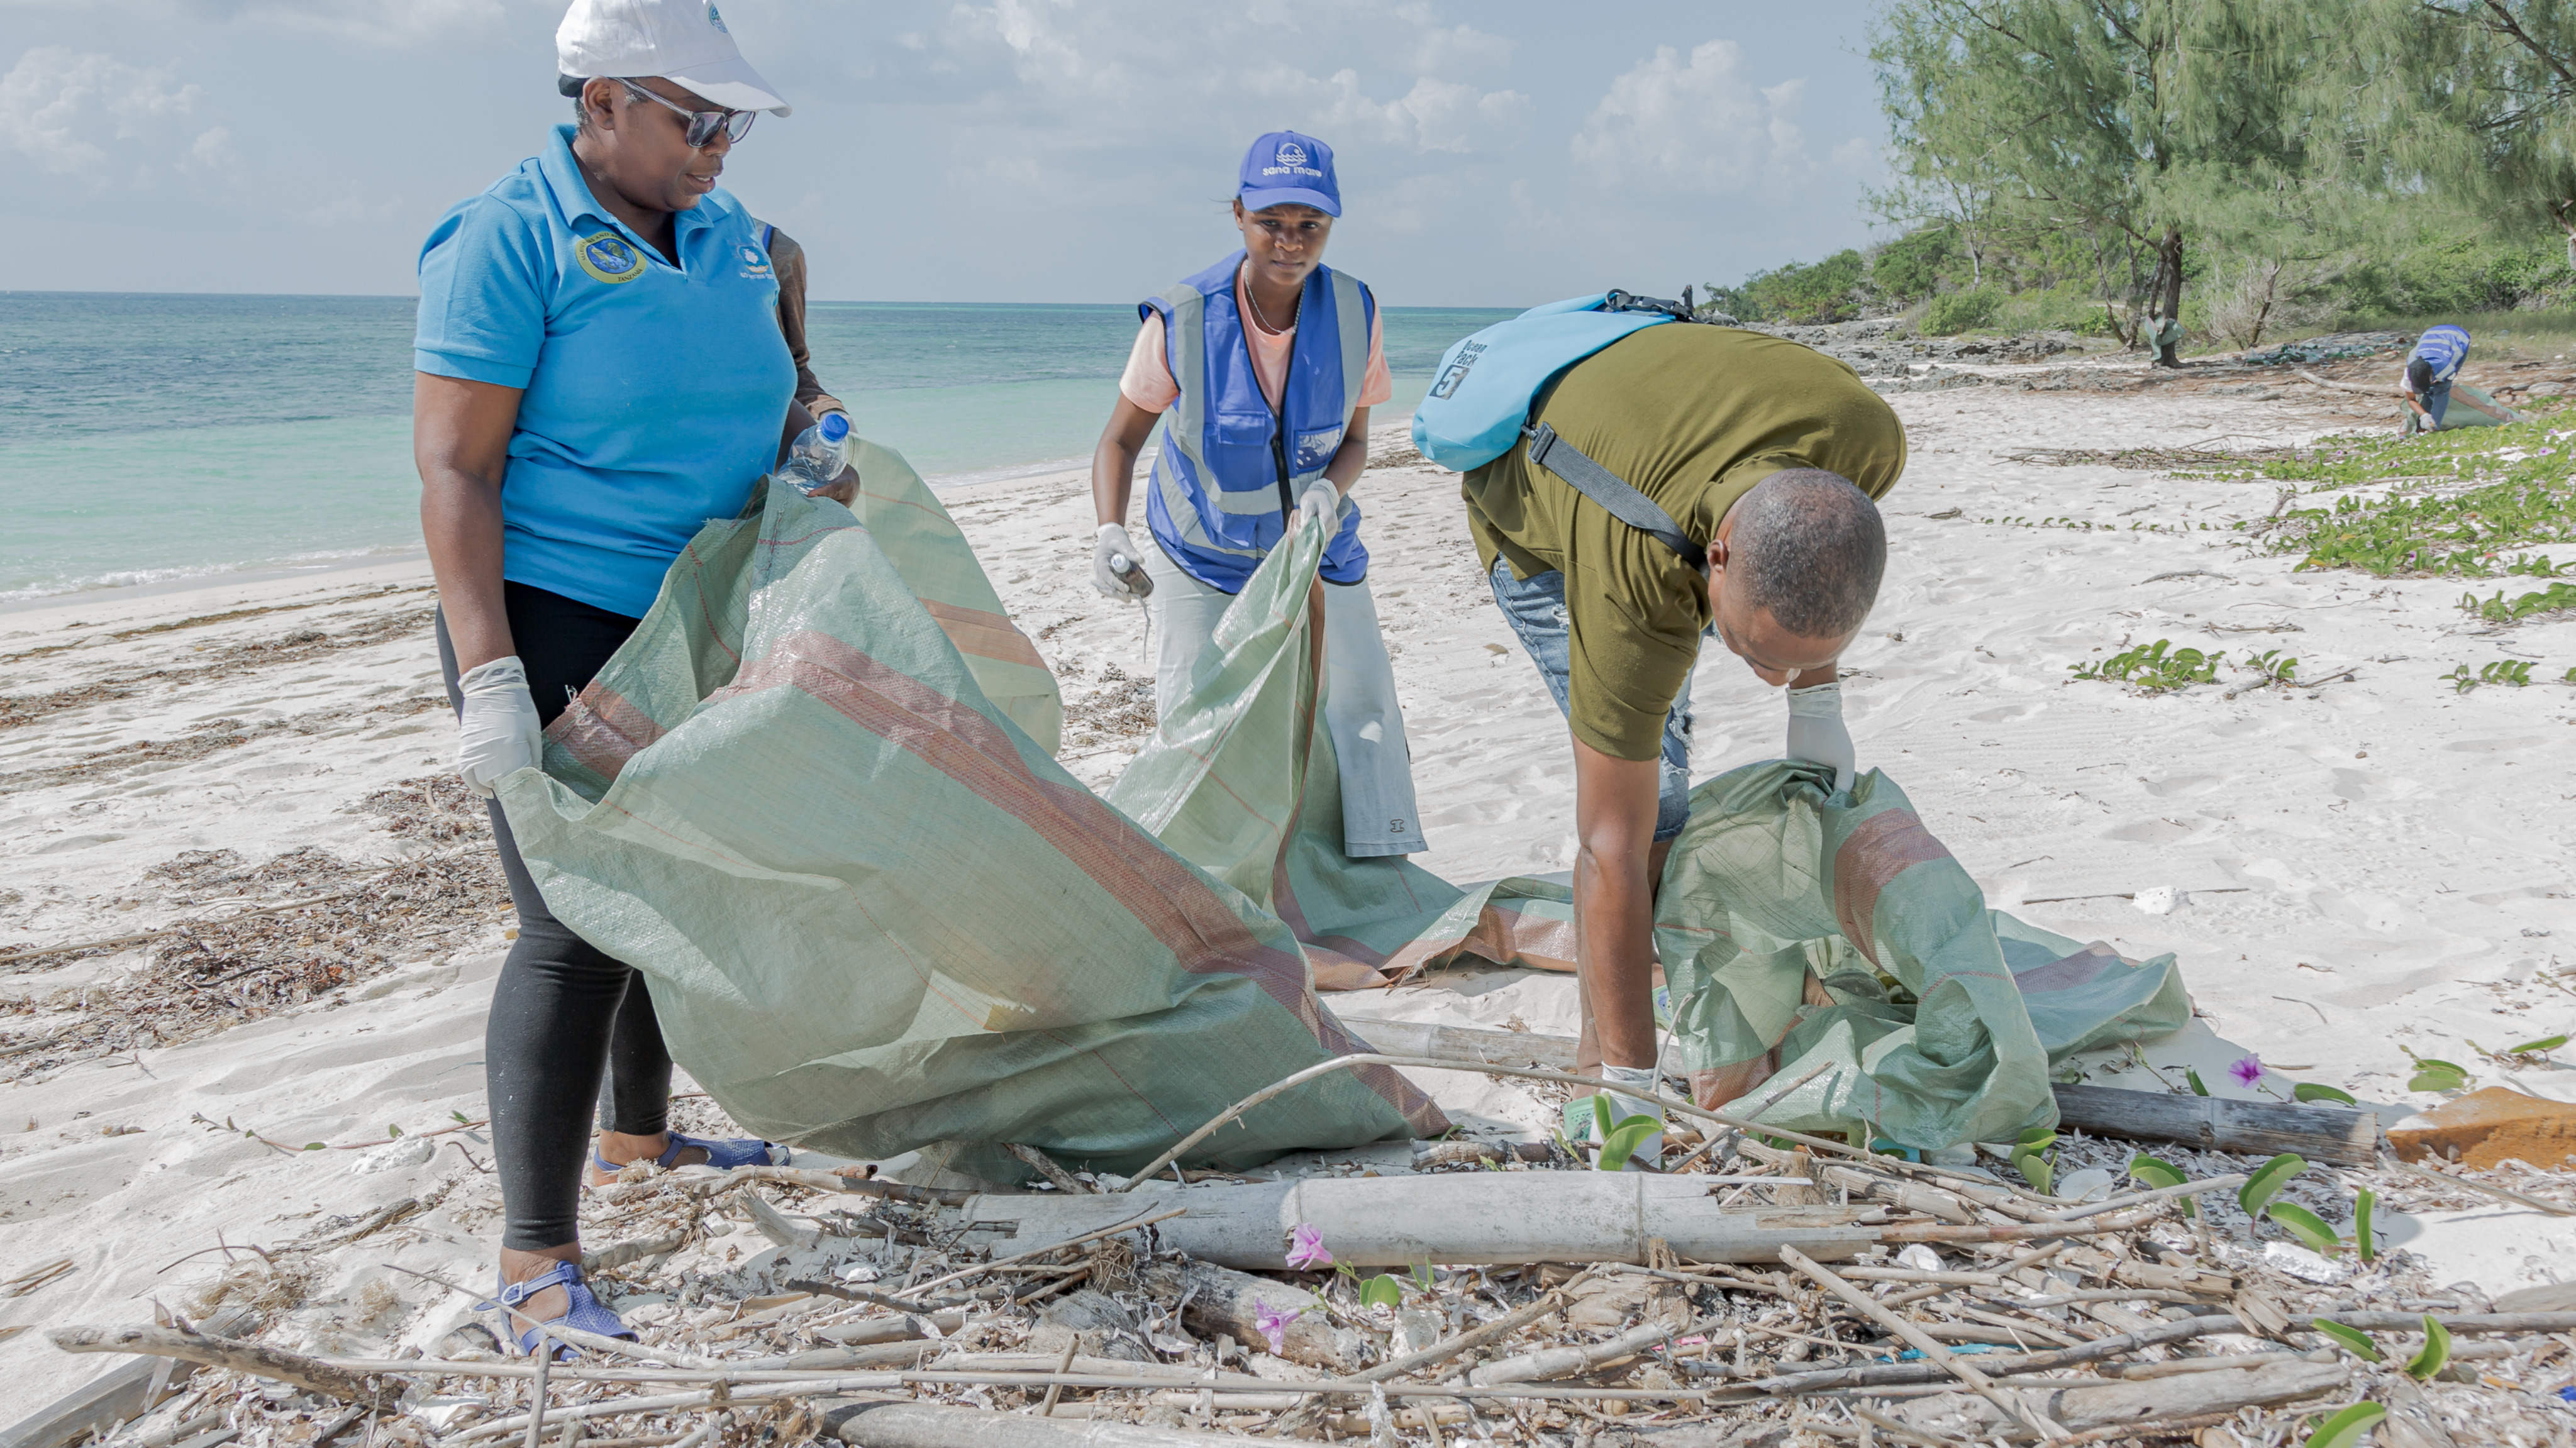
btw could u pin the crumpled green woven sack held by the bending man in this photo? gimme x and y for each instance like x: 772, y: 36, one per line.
x: 1807, y: 931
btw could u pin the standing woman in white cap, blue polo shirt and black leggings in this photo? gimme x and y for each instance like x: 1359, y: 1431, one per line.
x: 599, y: 372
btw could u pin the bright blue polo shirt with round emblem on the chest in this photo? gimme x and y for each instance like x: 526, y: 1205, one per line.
x: 653, y: 393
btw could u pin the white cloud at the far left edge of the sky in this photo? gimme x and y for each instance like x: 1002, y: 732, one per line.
x: 66, y: 110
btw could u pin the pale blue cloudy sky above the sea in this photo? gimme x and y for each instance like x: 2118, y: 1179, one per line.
x: 1024, y: 151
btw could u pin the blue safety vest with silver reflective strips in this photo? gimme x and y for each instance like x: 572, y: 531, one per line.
x: 1230, y: 465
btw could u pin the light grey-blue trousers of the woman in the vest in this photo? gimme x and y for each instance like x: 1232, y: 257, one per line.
x: 1361, y: 710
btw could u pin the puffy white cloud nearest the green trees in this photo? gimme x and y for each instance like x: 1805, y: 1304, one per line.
x: 1694, y: 125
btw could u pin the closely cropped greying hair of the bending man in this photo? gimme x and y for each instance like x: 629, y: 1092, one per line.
x: 1812, y: 550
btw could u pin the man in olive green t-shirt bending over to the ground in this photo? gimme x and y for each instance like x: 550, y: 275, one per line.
x: 1768, y: 460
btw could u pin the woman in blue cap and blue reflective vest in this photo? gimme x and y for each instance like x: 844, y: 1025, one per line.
x: 1264, y: 370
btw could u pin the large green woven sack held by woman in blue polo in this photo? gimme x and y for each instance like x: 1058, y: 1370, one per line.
x: 872, y: 908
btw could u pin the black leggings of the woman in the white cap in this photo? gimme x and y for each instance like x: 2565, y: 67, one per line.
x: 563, y: 1011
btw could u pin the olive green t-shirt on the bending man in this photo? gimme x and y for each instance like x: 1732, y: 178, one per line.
x: 1694, y: 419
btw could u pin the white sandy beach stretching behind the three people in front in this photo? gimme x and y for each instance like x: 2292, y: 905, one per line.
x: 2363, y: 867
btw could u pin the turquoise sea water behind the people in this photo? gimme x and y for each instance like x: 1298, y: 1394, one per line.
x: 166, y: 437
